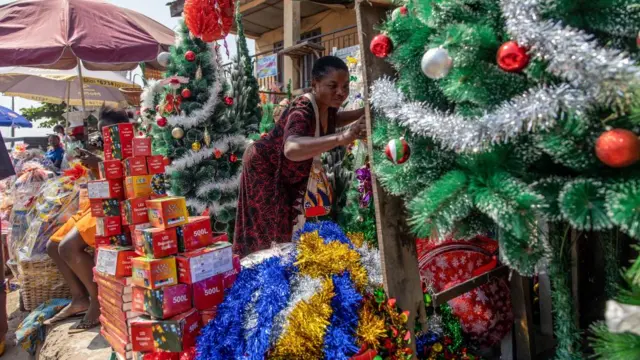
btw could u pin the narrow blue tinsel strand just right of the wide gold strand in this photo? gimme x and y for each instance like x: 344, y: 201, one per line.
x: 340, y: 339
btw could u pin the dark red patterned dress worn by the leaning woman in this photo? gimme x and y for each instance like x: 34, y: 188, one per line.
x: 271, y: 184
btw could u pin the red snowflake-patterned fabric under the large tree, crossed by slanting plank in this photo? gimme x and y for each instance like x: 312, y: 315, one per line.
x: 485, y: 312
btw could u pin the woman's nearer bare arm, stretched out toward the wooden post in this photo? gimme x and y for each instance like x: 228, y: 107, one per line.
x: 300, y: 148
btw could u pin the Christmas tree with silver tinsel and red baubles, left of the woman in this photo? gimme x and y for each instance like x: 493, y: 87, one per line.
x: 193, y: 127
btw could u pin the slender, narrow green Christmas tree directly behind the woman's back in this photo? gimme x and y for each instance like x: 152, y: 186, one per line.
x: 245, y: 109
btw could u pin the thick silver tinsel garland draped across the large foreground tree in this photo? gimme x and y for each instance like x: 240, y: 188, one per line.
x: 593, y: 74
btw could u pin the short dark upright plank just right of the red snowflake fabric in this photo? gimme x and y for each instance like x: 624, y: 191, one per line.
x: 522, y: 317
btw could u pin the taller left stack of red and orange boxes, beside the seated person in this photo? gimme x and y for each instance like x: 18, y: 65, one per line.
x: 129, y: 176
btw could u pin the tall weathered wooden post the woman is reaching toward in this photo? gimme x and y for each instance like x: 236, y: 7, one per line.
x: 397, y: 245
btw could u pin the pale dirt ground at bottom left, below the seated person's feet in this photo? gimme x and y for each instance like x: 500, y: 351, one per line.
x: 58, y: 345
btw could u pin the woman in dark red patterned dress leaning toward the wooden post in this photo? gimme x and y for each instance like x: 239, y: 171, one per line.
x: 276, y: 168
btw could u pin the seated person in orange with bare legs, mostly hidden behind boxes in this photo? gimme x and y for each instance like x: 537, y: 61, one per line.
x: 67, y: 246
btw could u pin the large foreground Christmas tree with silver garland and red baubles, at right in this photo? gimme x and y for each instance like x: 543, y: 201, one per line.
x: 521, y: 117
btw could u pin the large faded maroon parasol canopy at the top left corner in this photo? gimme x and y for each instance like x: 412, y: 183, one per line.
x: 52, y: 33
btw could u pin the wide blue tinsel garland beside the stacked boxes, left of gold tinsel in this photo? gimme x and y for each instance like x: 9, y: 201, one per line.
x: 224, y: 338
